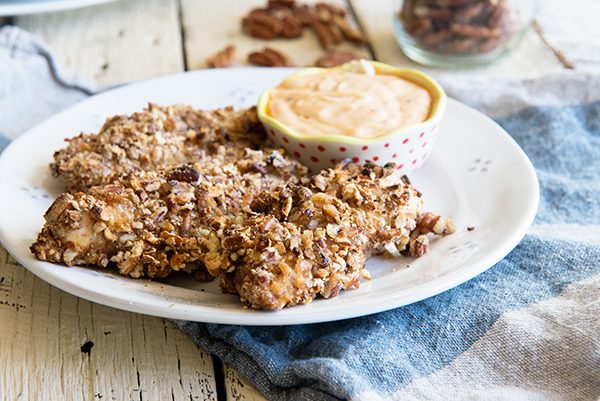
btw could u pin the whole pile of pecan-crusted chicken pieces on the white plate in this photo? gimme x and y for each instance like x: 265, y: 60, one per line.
x: 174, y: 188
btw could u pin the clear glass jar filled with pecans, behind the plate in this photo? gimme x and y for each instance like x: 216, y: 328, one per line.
x: 460, y: 32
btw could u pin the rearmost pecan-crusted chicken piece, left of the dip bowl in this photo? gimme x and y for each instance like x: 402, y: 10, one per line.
x: 155, y: 138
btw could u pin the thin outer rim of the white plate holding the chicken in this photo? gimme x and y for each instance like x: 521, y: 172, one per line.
x: 242, y: 316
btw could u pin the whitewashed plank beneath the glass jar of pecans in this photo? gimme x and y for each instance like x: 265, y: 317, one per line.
x: 531, y: 57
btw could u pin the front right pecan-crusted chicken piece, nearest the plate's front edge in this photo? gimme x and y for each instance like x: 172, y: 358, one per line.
x: 312, y: 239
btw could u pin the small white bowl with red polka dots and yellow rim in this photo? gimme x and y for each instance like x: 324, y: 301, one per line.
x: 408, y: 147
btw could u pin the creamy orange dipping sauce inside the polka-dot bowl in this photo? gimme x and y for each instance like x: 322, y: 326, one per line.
x: 348, y: 103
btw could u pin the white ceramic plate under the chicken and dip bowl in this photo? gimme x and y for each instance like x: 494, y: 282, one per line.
x: 476, y: 174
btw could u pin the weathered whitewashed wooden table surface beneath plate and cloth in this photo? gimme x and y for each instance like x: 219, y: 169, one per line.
x: 55, y: 346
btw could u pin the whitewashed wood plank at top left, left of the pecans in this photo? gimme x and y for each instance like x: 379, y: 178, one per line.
x: 115, y: 42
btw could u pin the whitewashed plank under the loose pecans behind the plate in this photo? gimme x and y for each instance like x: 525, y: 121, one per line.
x: 210, y: 25
